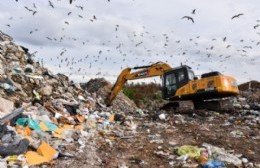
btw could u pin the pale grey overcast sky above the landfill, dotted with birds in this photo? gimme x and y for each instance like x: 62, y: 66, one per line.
x: 97, y: 38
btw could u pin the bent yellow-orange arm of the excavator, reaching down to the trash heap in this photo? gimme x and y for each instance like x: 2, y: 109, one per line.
x: 152, y: 70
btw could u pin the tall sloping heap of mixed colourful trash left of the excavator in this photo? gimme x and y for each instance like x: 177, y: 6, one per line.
x: 47, y: 119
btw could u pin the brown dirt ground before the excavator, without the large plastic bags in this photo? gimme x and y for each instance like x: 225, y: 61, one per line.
x: 154, y: 142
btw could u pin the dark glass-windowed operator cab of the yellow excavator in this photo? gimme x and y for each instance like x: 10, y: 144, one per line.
x: 174, y: 79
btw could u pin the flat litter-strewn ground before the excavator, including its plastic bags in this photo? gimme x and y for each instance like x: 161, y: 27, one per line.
x: 178, y: 140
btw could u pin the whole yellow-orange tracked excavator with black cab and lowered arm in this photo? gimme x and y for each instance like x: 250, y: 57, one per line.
x: 183, y: 90
